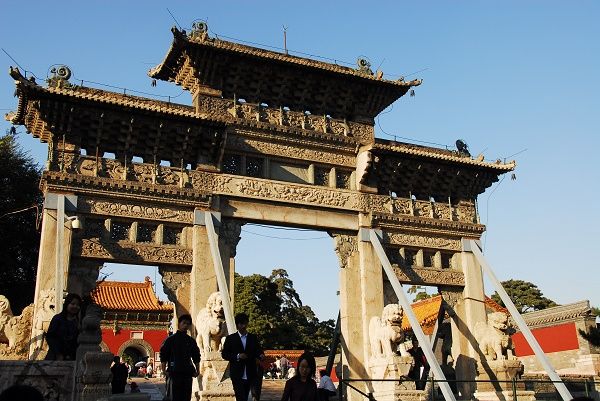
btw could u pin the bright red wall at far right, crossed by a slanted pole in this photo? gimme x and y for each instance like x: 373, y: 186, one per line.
x: 562, y: 337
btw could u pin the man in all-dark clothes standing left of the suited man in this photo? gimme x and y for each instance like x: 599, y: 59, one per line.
x: 180, y: 359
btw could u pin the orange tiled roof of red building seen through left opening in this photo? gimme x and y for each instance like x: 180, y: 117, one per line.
x: 120, y: 295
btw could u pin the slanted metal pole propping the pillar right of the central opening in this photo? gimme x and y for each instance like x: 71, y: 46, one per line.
x: 412, y: 318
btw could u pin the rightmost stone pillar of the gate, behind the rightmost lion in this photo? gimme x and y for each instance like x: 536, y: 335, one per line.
x: 469, y: 311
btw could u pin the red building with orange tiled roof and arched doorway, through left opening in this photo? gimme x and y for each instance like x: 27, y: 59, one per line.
x: 135, y: 322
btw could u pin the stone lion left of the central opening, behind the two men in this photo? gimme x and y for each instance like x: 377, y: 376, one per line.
x: 211, y: 325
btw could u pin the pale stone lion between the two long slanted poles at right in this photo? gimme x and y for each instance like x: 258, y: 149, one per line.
x: 385, y: 333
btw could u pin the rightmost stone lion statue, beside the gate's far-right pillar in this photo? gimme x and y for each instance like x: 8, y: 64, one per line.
x: 493, y: 337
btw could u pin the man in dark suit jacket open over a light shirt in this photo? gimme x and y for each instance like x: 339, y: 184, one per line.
x: 244, y: 353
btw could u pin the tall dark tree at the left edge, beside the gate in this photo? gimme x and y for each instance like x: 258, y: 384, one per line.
x: 20, y: 200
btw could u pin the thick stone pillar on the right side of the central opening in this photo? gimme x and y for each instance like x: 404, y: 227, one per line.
x: 361, y: 297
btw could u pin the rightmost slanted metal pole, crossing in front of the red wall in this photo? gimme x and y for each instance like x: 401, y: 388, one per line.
x: 539, y: 353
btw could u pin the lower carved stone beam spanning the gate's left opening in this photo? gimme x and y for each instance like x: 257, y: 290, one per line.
x: 125, y: 252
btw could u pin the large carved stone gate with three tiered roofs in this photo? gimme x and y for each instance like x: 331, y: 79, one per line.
x: 270, y: 138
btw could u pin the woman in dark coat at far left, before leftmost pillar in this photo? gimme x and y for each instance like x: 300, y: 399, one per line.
x: 63, y: 331
